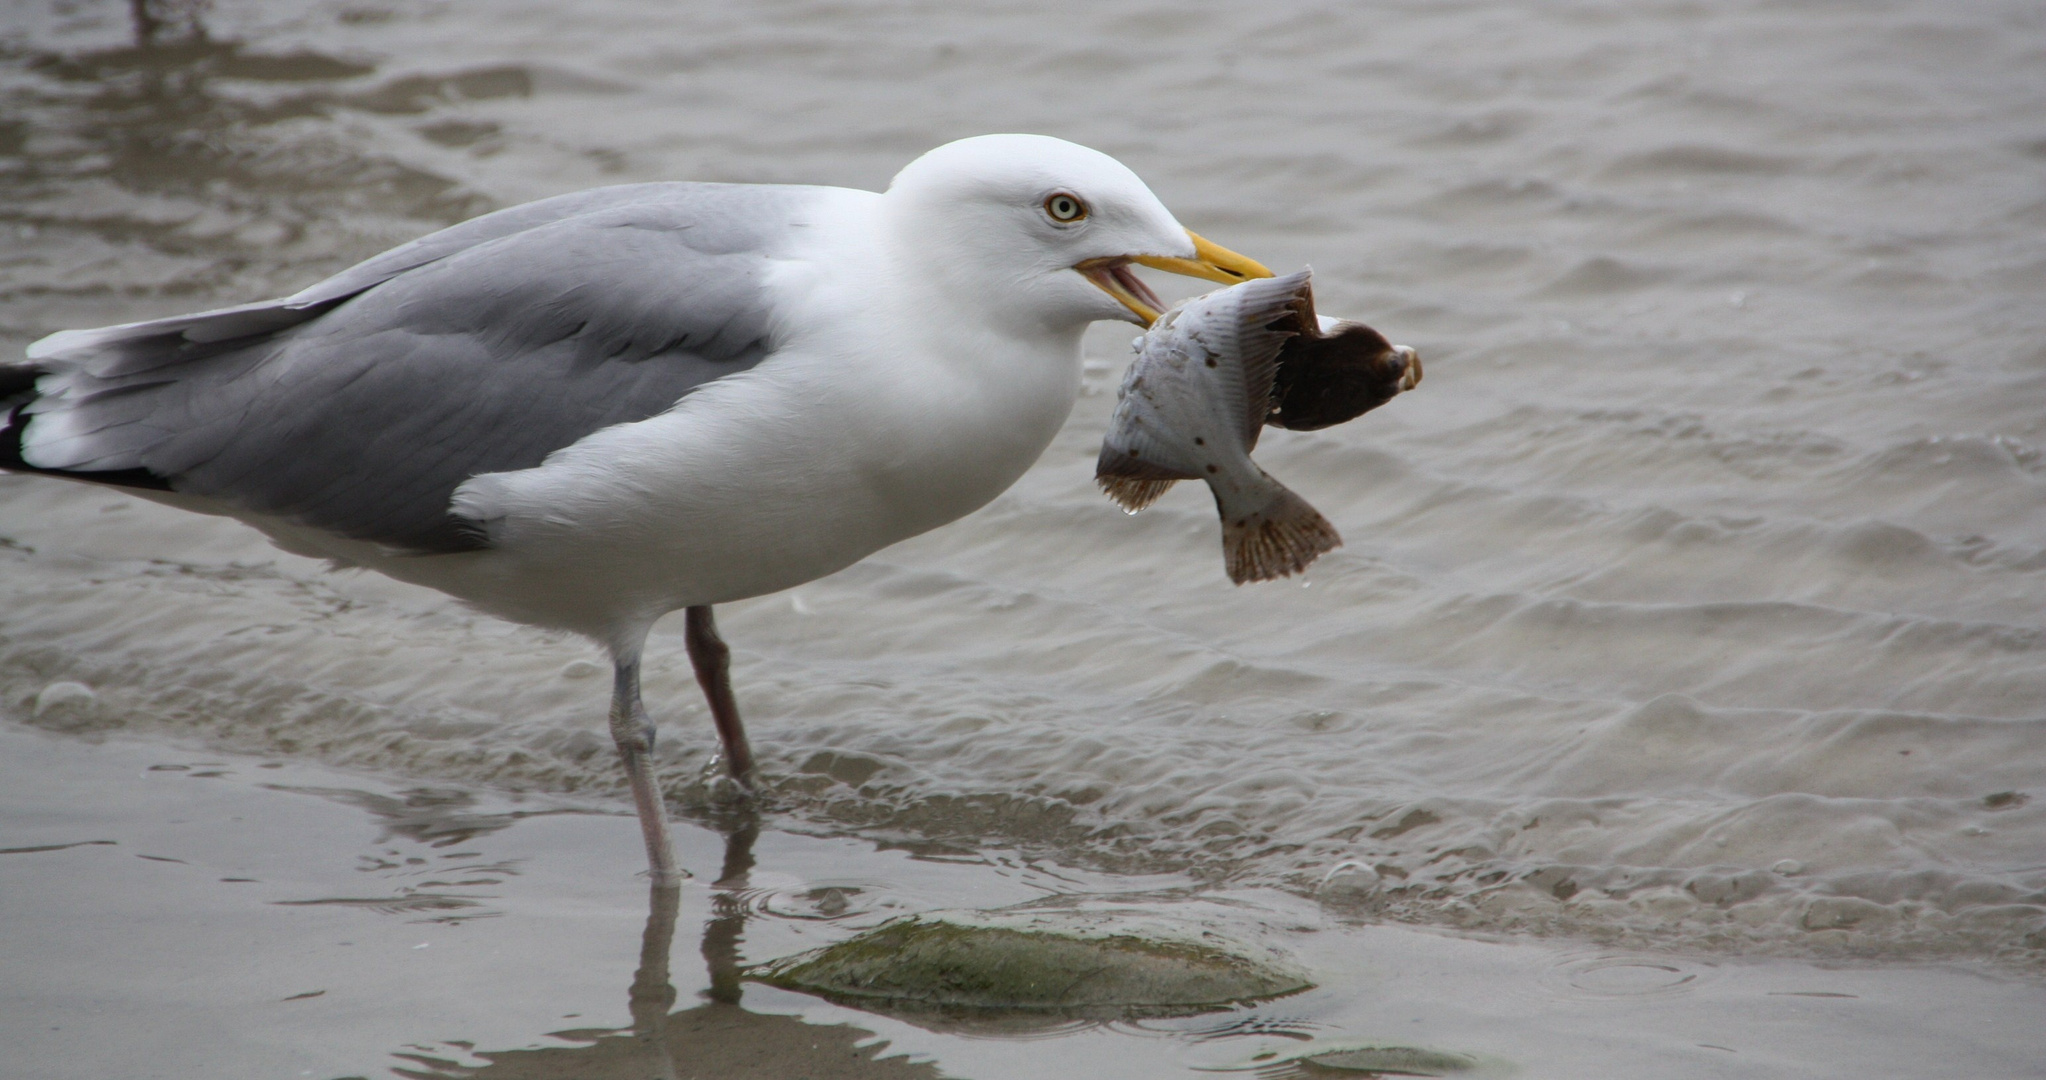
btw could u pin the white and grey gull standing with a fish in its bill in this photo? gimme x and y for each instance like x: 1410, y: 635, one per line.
x: 609, y: 406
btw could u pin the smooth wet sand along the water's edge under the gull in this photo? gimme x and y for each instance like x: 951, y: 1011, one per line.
x: 185, y: 913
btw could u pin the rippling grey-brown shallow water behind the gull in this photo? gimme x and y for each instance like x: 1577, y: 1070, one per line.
x: 1691, y: 602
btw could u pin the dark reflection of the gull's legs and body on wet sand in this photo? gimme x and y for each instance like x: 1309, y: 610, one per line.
x: 717, y: 1040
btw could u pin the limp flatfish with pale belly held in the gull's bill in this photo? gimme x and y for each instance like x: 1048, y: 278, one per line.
x: 1210, y: 375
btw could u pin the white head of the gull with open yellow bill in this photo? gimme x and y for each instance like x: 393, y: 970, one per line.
x: 1038, y: 230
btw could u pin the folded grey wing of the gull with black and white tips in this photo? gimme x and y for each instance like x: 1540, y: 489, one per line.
x: 361, y: 404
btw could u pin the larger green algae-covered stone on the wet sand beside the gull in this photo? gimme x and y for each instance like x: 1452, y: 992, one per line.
x: 1036, y: 962
